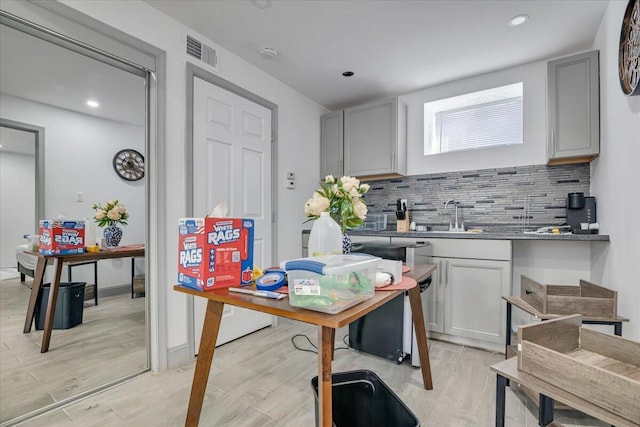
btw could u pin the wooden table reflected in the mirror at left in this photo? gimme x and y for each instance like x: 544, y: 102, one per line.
x: 131, y: 251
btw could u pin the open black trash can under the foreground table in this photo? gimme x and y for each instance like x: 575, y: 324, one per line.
x: 362, y: 399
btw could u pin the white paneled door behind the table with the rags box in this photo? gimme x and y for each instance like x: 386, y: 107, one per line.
x: 231, y: 149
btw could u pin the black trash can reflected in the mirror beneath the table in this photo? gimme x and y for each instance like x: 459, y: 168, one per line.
x: 69, y: 306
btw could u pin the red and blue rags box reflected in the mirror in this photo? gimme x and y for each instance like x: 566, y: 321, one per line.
x: 61, y: 237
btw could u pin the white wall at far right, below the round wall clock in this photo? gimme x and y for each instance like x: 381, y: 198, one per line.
x: 615, y: 177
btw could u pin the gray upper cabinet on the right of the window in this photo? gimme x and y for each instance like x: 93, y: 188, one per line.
x: 574, y: 109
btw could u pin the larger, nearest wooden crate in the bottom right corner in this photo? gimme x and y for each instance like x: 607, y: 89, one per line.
x: 600, y: 368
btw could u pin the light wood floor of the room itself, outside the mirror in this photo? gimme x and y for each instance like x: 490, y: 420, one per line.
x: 261, y: 380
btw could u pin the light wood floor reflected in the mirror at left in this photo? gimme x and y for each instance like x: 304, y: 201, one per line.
x: 108, y: 345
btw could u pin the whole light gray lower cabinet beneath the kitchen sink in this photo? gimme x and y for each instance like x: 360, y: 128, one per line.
x: 465, y: 297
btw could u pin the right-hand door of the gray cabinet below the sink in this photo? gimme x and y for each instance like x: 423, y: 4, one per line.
x: 473, y: 298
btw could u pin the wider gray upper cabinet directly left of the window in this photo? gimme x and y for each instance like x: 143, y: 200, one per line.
x: 375, y: 139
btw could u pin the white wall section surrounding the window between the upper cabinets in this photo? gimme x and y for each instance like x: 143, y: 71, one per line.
x: 531, y: 152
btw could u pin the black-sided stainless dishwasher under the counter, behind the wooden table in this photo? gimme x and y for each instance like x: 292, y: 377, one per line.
x: 388, y: 331
